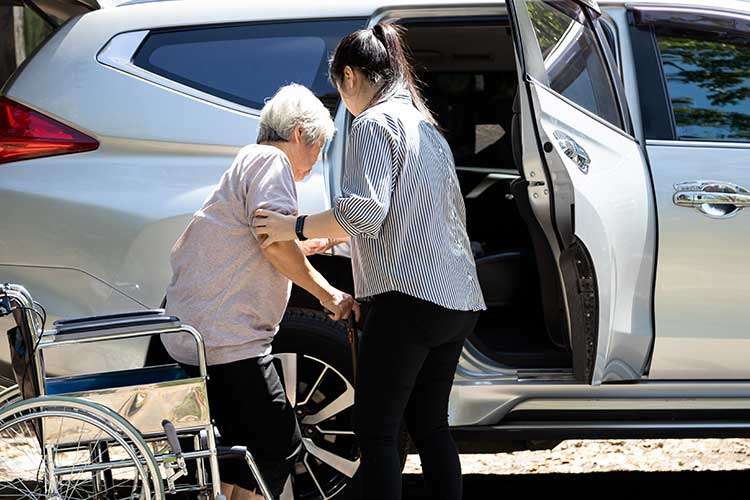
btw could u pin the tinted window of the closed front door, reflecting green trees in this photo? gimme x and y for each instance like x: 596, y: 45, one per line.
x: 708, y: 78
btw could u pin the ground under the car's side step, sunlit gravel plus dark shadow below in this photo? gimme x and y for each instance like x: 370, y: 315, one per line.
x: 632, y: 469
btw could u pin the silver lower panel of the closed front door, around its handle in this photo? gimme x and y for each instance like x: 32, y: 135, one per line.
x: 703, y: 279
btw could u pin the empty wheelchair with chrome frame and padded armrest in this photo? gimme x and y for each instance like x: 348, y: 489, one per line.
x: 110, y: 402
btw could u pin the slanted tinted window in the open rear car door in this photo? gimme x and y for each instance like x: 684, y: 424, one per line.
x: 572, y: 58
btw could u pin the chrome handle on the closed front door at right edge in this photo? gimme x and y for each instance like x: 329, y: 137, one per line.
x: 712, y: 198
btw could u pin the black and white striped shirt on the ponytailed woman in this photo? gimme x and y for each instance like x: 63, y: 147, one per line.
x: 403, y: 207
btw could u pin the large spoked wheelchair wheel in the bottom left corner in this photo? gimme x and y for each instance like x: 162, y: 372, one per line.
x: 67, y: 449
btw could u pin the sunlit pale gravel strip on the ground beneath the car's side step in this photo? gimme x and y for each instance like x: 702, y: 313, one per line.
x: 571, y: 457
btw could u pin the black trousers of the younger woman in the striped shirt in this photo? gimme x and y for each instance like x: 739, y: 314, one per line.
x: 407, y: 360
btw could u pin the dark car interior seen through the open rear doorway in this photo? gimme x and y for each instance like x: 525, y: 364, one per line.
x: 468, y: 74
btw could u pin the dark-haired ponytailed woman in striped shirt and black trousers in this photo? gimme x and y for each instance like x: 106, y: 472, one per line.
x: 402, y: 207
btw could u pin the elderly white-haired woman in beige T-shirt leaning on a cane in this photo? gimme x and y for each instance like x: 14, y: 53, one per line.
x: 235, y: 292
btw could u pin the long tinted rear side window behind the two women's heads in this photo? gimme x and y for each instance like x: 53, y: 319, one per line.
x: 246, y: 64
